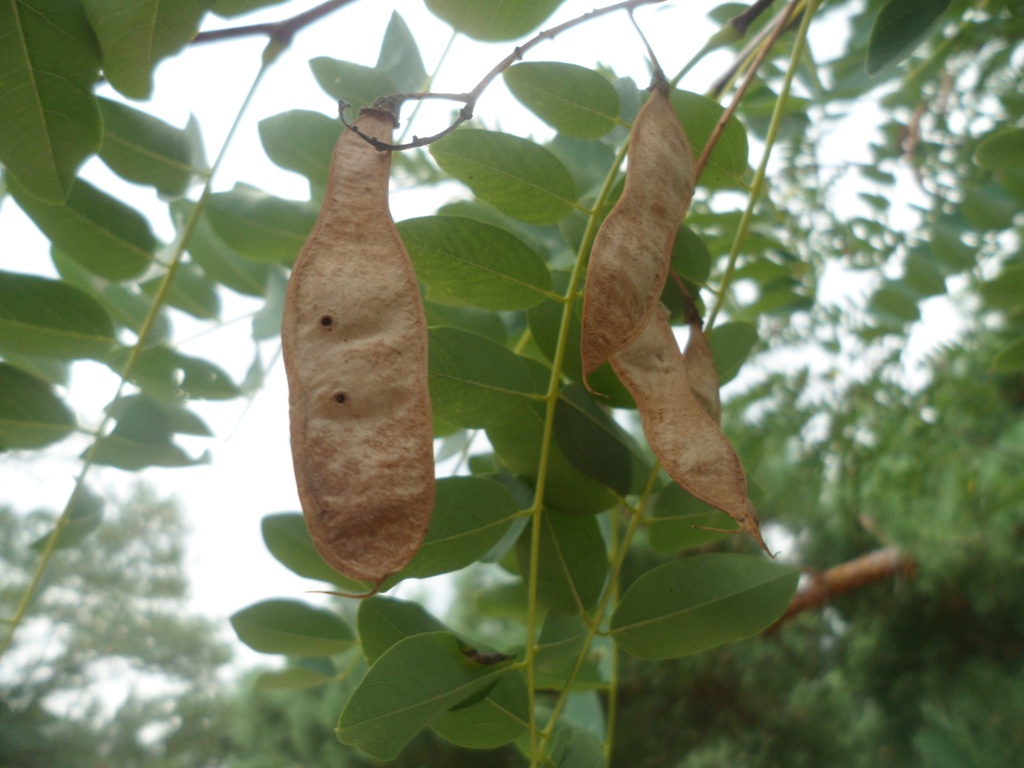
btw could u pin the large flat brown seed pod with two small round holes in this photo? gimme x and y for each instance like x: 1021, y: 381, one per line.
x: 355, y: 344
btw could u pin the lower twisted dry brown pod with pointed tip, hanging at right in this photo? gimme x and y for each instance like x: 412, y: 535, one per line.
x: 686, y: 440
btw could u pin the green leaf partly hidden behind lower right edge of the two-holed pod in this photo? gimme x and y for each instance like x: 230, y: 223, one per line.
x: 472, y: 516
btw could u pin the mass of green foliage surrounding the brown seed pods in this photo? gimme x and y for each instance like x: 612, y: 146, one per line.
x: 577, y: 559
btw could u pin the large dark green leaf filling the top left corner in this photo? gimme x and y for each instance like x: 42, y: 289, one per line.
x: 51, y: 122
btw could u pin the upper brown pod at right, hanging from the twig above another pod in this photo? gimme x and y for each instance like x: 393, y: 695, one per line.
x: 630, y: 261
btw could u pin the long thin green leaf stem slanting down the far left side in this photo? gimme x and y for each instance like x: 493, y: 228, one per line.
x: 89, y: 460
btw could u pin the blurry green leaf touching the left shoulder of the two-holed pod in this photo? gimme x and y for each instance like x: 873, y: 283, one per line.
x: 260, y: 226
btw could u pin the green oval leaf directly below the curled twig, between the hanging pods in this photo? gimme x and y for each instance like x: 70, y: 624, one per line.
x: 514, y: 175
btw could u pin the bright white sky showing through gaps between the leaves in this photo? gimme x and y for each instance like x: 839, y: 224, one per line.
x: 251, y: 474
